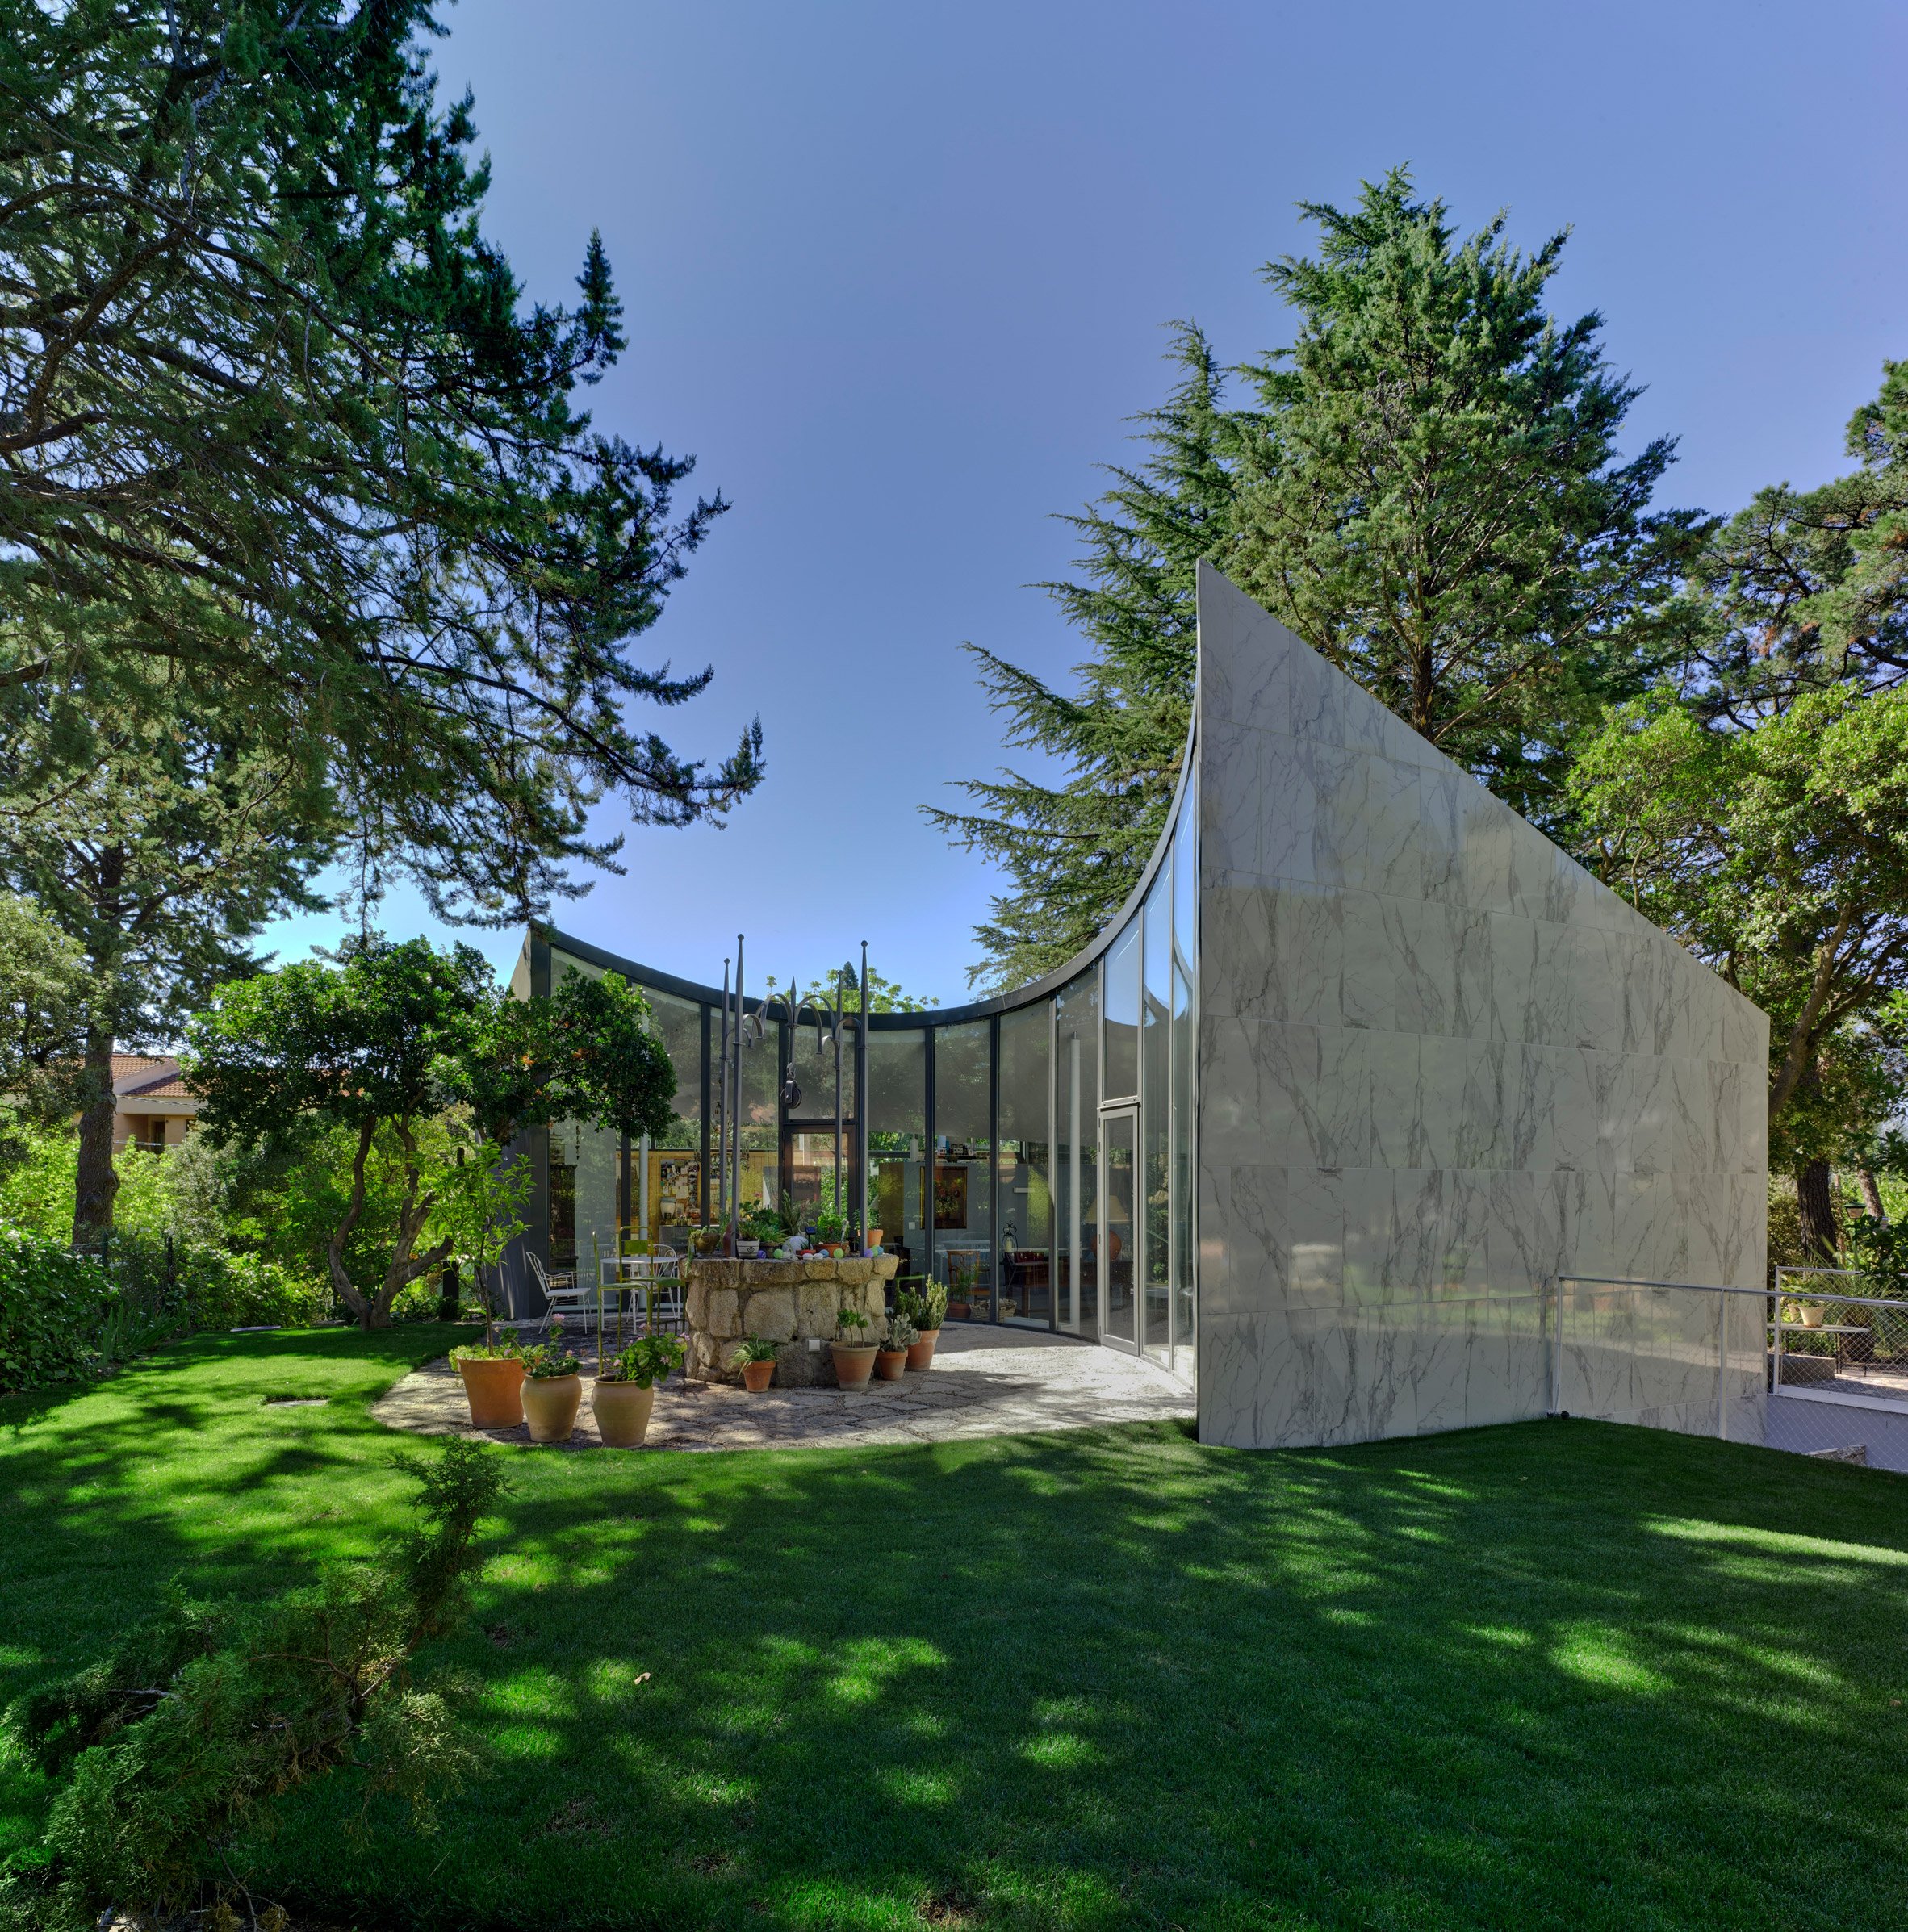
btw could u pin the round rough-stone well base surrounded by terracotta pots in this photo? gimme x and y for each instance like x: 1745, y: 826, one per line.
x: 790, y: 1303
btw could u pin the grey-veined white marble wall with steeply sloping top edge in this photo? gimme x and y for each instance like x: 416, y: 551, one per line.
x: 1439, y: 1065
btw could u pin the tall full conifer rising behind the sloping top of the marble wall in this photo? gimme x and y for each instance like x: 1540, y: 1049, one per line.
x: 1433, y: 499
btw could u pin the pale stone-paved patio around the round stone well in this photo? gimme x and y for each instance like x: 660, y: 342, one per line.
x: 985, y: 1382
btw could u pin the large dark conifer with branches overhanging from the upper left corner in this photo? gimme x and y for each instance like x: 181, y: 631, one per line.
x: 275, y: 416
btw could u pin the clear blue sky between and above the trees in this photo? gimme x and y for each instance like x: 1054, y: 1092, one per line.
x: 898, y: 277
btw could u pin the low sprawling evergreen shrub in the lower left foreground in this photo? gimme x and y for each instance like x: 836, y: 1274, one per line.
x: 192, y: 1726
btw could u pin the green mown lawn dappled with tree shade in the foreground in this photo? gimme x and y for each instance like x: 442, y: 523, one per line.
x: 1538, y: 1676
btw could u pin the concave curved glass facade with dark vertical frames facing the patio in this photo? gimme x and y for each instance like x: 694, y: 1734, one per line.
x: 1035, y: 1152
